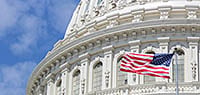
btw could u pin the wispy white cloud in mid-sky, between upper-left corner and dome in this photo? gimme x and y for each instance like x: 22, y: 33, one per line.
x: 33, y: 28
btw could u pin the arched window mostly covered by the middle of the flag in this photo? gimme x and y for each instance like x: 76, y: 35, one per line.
x: 149, y: 79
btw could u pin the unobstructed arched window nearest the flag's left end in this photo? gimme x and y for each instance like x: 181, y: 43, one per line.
x: 97, y: 76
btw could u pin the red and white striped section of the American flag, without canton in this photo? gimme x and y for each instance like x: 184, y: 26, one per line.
x: 141, y: 62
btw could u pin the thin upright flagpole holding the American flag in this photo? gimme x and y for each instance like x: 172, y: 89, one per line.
x: 176, y: 58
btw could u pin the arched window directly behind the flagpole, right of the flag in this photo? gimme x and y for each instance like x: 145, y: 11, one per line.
x: 180, y: 60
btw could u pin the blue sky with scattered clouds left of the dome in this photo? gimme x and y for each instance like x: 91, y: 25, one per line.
x: 28, y: 30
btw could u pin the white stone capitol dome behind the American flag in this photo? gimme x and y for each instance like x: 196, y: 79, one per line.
x: 86, y: 61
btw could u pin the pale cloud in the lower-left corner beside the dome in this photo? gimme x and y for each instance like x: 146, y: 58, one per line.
x: 14, y: 78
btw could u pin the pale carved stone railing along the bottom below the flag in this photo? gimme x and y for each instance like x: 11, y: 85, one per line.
x: 167, y: 88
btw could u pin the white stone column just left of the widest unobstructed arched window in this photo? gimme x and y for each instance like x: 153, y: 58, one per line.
x: 84, y: 73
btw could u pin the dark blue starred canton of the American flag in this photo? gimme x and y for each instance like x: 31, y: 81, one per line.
x: 162, y: 59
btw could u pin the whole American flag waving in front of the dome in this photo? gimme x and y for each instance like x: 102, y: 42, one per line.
x: 156, y: 65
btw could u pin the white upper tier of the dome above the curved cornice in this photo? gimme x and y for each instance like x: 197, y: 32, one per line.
x: 102, y: 14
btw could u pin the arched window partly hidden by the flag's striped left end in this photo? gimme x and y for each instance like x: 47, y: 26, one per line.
x: 121, y: 76
